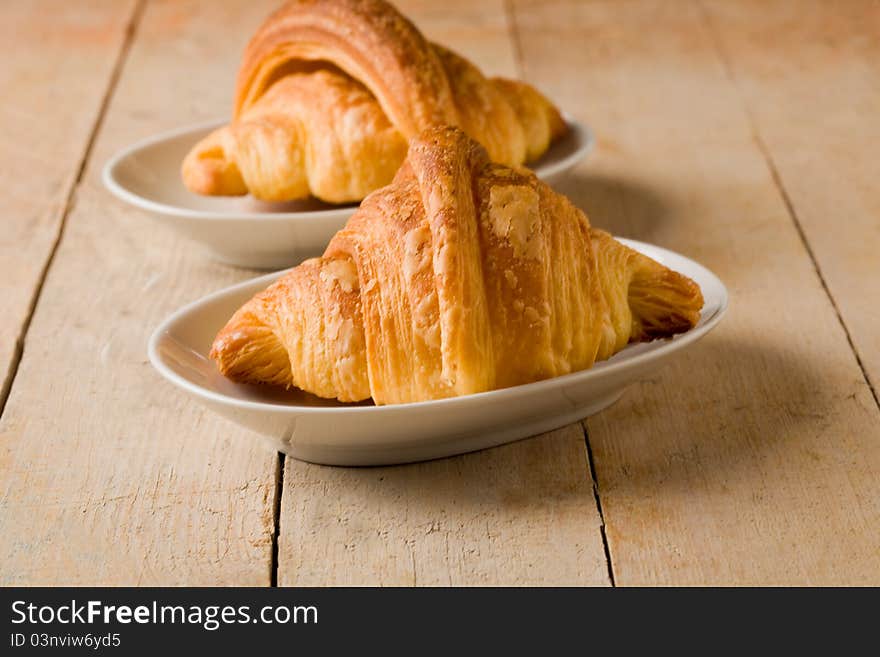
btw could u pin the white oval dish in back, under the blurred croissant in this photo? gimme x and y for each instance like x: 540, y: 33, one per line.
x: 245, y: 232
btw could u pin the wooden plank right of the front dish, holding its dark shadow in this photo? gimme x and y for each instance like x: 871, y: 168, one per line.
x: 755, y: 459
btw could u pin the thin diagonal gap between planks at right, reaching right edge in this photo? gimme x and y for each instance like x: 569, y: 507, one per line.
x: 780, y: 186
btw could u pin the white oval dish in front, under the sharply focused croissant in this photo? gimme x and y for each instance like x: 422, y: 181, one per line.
x: 329, y: 432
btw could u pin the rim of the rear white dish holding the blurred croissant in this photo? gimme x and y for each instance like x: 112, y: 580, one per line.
x: 587, y: 143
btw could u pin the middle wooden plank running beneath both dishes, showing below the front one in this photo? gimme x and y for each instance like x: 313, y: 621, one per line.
x: 520, y: 514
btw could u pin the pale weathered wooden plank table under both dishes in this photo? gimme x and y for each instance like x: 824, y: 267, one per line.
x: 743, y: 134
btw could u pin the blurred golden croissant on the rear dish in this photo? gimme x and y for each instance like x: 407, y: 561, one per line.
x: 330, y: 91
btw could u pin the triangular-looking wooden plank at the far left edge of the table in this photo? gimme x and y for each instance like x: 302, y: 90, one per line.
x: 50, y: 104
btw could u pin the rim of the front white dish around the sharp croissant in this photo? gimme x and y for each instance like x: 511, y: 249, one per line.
x: 671, y: 345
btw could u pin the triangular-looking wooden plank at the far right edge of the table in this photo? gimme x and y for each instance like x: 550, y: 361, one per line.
x: 817, y: 116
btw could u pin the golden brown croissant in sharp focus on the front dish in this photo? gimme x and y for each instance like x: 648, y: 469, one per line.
x: 459, y: 277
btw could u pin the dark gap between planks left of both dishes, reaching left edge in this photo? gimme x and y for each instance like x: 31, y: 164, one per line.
x: 67, y: 207
